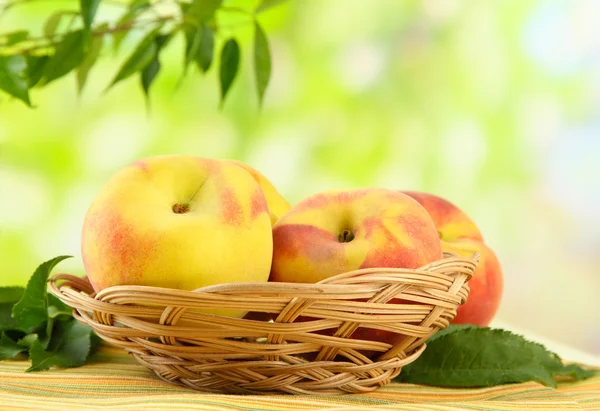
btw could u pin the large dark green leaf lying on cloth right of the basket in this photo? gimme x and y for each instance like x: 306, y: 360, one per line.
x: 481, y: 357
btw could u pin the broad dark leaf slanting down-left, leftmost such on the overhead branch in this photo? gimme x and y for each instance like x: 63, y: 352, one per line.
x: 68, y: 55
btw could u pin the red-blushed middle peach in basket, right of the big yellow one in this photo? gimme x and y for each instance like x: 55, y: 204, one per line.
x: 340, y: 231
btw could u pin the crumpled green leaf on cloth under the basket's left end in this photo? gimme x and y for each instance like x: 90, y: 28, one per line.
x: 75, y: 344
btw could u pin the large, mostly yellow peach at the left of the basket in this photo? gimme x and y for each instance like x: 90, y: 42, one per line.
x: 179, y: 222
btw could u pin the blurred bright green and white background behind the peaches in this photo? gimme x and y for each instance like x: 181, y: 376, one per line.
x: 493, y: 105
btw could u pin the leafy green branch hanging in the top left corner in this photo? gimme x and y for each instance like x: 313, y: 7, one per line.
x: 73, y: 40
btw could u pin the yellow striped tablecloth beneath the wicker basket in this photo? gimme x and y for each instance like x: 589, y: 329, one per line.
x: 114, y: 381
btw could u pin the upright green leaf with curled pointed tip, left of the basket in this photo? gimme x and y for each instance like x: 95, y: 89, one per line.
x: 32, y: 308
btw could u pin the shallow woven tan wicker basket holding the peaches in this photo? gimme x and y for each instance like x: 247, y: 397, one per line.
x: 335, y: 337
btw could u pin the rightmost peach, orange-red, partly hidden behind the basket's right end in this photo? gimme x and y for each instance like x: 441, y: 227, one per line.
x: 459, y: 234
